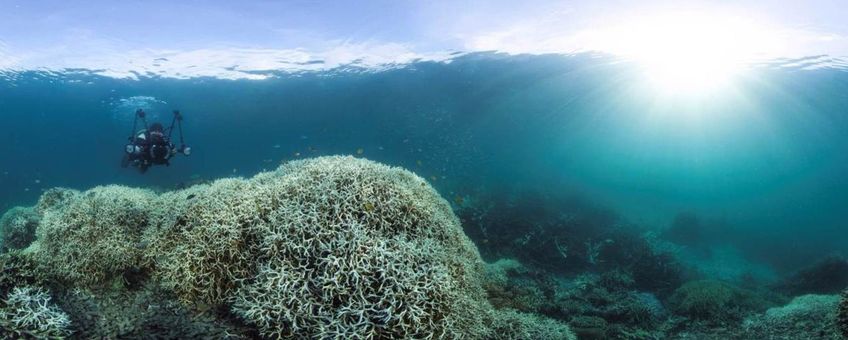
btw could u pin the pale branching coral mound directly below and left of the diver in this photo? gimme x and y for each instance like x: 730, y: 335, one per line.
x: 92, y: 236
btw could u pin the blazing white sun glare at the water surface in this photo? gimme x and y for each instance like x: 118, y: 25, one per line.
x: 689, y: 52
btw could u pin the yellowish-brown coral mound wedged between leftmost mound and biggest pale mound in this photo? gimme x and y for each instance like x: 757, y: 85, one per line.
x: 203, y: 239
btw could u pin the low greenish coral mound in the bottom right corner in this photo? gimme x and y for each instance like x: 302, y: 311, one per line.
x: 805, y: 317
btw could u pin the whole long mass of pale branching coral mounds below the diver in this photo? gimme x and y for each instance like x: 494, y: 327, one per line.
x: 320, y: 248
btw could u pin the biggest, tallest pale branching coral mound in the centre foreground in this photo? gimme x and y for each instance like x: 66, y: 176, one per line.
x: 358, y: 249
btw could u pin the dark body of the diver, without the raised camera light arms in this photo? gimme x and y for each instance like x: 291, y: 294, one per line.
x: 149, y: 148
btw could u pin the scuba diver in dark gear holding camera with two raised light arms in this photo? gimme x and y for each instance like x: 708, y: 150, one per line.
x: 151, y: 145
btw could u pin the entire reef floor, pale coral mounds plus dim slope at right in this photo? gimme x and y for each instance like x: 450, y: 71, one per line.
x: 342, y: 247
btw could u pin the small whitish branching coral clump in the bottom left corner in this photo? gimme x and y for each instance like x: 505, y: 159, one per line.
x: 28, y: 311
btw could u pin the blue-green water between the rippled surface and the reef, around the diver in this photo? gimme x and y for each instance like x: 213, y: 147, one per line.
x: 768, y: 160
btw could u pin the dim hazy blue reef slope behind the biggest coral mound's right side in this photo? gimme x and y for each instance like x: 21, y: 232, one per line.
x: 567, y: 235
